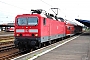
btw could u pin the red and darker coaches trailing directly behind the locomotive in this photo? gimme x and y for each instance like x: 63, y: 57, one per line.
x: 72, y: 28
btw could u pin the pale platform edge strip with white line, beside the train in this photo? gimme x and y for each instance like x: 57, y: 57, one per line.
x: 34, y: 54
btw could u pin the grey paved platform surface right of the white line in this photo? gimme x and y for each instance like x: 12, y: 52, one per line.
x: 77, y: 49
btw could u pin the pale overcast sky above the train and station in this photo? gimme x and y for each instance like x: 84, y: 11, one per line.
x: 68, y: 9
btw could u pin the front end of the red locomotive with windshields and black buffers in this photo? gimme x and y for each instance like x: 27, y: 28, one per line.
x: 26, y: 31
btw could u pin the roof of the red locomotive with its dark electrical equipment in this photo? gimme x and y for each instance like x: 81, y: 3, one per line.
x: 43, y: 13
